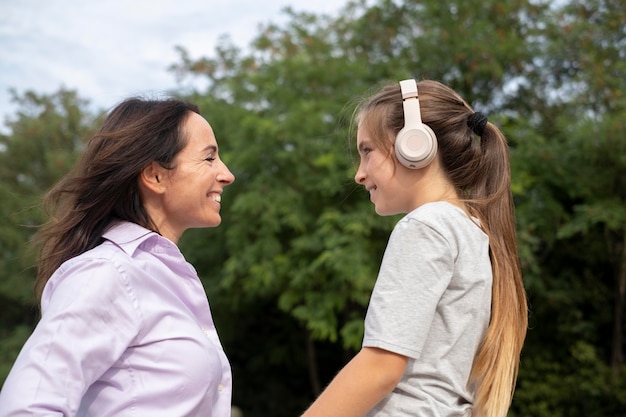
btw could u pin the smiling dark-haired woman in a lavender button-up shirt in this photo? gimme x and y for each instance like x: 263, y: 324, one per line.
x: 126, y: 328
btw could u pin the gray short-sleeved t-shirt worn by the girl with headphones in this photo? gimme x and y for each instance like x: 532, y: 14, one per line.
x: 432, y: 303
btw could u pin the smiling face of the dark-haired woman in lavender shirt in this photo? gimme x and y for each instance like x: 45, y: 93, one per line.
x: 193, y: 187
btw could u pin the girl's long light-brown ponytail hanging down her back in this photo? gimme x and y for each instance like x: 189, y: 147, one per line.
x: 495, y: 368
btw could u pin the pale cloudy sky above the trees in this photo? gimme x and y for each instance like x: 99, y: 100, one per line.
x: 108, y: 50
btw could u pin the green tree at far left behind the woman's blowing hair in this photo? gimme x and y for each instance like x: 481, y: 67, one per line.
x: 44, y: 137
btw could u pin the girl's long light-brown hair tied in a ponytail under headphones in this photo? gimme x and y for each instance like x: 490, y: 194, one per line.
x: 479, y: 169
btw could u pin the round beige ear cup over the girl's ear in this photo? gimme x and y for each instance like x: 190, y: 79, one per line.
x: 416, y: 146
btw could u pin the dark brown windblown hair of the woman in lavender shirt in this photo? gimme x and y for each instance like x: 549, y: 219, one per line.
x: 104, y: 182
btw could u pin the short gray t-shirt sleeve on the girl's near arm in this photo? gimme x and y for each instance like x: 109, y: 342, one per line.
x: 415, y: 271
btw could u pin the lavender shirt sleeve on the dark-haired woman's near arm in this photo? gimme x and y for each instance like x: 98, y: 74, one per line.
x: 89, y: 319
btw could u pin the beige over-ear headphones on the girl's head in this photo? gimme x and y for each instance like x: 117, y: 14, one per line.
x: 416, y: 143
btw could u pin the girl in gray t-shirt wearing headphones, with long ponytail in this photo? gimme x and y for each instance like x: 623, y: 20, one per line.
x: 448, y: 316
